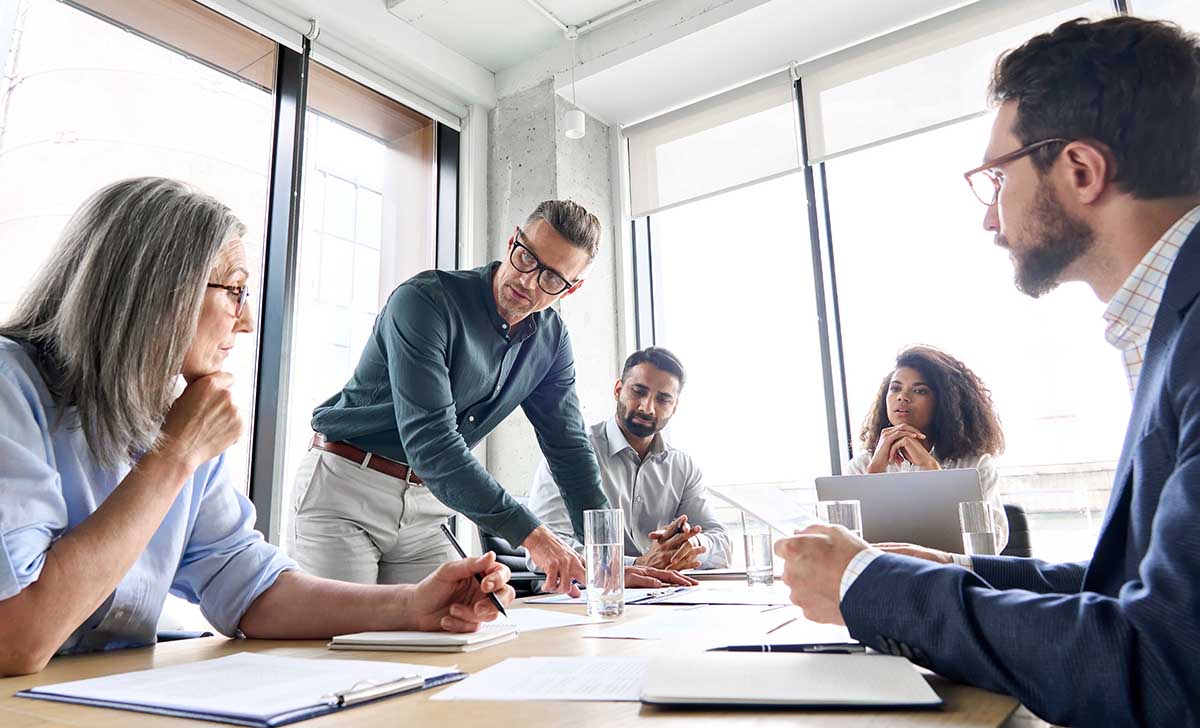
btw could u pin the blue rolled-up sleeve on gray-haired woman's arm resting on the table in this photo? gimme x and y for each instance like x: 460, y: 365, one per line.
x: 226, y: 564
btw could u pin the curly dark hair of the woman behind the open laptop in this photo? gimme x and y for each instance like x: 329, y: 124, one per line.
x: 965, y: 420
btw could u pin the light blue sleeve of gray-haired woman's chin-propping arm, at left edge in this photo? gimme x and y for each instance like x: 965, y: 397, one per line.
x: 33, y: 510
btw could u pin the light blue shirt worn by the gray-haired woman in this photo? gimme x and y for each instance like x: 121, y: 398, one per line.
x: 207, y: 550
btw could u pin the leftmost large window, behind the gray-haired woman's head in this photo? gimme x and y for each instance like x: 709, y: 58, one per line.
x: 86, y: 103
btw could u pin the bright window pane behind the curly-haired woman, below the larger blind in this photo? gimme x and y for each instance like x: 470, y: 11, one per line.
x: 916, y: 267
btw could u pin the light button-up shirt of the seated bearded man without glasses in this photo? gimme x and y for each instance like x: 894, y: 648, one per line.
x: 651, y: 494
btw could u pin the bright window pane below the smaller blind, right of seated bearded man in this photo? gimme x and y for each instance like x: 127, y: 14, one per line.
x: 734, y: 298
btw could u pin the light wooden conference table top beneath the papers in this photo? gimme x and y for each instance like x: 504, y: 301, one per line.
x: 964, y: 706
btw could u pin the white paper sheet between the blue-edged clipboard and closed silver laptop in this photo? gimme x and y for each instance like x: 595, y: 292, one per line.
x: 555, y: 679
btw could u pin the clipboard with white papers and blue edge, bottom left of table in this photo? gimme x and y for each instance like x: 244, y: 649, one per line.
x: 250, y: 689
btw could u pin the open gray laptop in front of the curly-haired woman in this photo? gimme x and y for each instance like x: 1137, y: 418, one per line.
x: 920, y: 507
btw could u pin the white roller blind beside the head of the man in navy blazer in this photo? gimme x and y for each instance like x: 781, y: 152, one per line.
x: 921, y: 77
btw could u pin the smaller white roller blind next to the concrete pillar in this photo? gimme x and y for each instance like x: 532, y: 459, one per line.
x: 746, y: 135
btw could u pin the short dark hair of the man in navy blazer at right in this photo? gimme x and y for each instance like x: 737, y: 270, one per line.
x: 1129, y: 83
